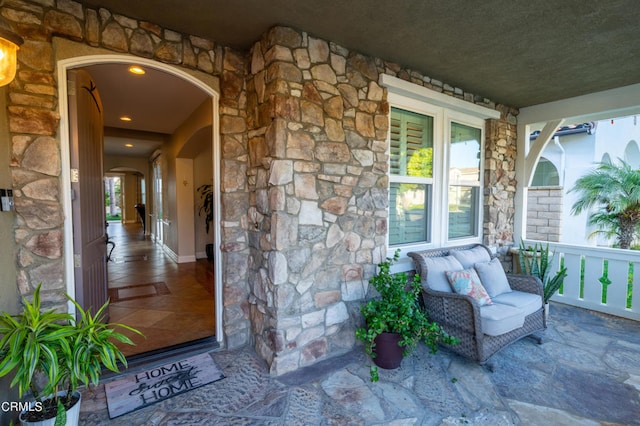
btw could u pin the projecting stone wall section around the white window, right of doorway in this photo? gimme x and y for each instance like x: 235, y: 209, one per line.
x: 318, y: 123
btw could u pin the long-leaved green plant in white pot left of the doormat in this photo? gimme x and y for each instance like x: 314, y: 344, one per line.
x: 51, y: 354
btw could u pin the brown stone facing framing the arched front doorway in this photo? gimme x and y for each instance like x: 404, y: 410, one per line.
x: 34, y: 122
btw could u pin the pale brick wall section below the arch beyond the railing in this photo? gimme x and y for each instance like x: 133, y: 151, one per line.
x: 544, y: 213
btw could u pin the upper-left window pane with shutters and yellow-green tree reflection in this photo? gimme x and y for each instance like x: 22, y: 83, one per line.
x: 411, y: 144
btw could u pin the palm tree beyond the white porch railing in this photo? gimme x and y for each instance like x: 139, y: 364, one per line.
x: 614, y: 190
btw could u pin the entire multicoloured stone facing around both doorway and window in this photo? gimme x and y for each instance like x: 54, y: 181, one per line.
x: 303, y: 126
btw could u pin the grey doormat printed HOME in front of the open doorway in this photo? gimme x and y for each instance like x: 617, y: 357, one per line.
x: 158, y: 384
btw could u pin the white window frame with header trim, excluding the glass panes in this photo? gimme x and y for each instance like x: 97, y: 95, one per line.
x: 444, y: 109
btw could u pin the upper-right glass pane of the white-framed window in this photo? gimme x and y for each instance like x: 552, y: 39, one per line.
x: 464, y: 155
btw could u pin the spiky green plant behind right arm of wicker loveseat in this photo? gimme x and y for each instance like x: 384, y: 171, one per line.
x: 535, y: 261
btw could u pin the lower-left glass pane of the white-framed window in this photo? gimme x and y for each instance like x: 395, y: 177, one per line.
x: 408, y: 213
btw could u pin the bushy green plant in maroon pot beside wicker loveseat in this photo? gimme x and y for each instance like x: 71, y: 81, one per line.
x: 395, y: 322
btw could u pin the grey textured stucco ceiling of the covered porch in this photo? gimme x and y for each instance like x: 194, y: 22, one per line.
x: 520, y: 53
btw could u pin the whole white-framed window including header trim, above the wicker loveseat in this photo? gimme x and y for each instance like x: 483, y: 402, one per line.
x: 436, y: 147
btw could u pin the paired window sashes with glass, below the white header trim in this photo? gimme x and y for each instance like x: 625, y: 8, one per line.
x: 434, y: 177
